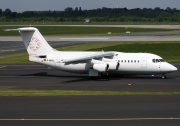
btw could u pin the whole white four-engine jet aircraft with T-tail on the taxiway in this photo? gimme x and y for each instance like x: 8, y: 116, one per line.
x: 94, y: 63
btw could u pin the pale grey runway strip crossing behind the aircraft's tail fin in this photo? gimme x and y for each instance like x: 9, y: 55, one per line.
x: 158, y: 36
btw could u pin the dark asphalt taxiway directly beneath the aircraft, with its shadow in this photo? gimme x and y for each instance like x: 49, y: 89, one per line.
x: 42, y: 77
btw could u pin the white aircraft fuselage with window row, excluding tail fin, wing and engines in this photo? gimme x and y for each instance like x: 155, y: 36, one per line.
x: 129, y: 63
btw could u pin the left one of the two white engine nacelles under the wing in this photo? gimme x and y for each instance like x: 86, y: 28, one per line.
x: 101, y: 67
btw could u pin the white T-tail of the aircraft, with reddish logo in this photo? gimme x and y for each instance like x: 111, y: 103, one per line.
x: 34, y: 42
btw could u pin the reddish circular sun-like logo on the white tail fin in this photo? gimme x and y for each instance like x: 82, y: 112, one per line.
x: 34, y: 44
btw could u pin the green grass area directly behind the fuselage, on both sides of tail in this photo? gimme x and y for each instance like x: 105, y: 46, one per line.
x: 168, y: 50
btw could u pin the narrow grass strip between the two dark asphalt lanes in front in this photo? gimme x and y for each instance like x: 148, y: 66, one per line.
x: 32, y: 93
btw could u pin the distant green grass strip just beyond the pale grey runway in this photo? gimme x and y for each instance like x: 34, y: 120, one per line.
x: 78, y: 30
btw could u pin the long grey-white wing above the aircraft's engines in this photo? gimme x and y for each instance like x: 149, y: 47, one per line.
x: 89, y: 57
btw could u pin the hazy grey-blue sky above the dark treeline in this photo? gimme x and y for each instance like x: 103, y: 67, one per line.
x: 44, y: 5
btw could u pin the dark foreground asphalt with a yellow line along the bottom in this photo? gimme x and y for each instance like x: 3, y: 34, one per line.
x: 99, y: 111
